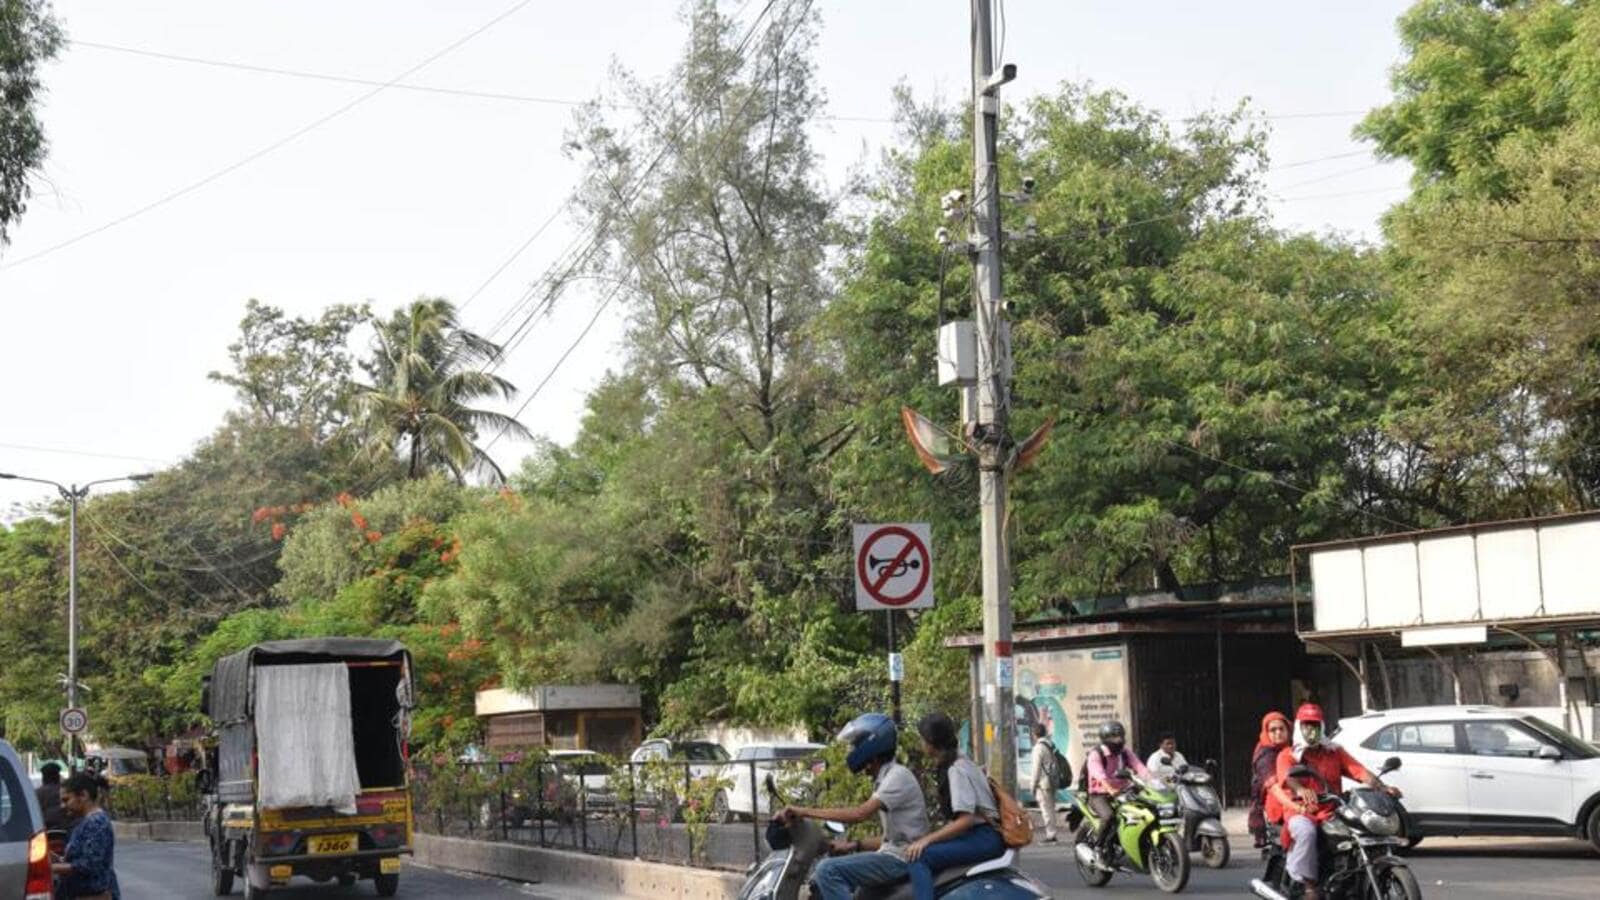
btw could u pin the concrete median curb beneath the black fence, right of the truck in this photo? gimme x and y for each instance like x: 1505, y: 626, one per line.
x: 598, y: 875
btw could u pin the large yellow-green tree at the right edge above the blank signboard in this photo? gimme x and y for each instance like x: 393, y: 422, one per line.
x: 1495, y: 254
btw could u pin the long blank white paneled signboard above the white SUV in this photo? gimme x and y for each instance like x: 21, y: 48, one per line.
x: 1524, y: 573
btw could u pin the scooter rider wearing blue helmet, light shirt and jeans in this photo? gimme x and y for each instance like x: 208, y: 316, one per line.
x: 897, y: 800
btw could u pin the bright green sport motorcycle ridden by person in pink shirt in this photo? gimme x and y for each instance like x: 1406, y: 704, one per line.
x: 1150, y: 837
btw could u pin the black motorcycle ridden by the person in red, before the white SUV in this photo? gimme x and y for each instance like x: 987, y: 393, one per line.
x: 1358, y: 850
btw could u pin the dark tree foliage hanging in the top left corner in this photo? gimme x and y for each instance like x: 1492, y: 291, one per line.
x: 30, y: 38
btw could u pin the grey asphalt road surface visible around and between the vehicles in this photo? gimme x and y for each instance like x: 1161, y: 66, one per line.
x: 1455, y: 870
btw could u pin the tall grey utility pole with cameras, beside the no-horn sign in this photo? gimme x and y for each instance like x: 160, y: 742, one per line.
x: 991, y: 436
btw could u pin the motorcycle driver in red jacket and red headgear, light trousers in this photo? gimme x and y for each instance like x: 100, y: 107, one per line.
x: 1303, y: 810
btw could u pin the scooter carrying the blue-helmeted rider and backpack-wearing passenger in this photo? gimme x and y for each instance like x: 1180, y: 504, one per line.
x: 799, y: 845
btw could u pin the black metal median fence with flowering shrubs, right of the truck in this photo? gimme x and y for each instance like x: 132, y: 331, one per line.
x: 681, y: 813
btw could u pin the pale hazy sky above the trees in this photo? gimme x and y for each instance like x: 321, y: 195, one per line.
x: 177, y: 191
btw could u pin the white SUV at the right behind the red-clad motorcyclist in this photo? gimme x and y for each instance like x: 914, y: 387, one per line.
x: 1482, y: 771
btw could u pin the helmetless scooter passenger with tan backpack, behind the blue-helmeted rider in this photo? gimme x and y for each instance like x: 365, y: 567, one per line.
x: 969, y: 808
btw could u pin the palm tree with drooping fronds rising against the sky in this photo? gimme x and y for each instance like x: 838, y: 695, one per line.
x: 426, y: 371
